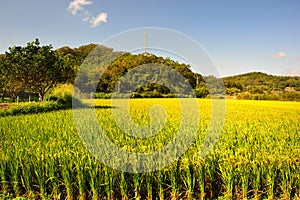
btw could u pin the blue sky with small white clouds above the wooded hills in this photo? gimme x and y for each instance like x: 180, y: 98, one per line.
x: 239, y: 36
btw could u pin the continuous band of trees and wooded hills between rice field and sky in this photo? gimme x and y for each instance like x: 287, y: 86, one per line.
x: 37, y: 69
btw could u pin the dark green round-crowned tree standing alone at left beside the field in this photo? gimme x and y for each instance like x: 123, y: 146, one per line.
x: 37, y: 67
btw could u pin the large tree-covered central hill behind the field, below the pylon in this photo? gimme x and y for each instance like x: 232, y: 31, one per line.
x: 116, y: 64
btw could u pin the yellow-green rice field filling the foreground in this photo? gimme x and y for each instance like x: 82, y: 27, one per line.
x: 256, y: 157
